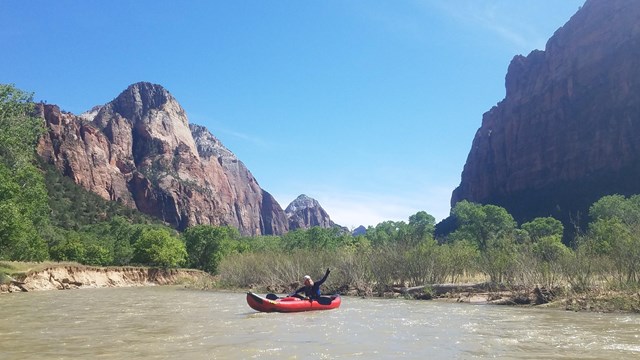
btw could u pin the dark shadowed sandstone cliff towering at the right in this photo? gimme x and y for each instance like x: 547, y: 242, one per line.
x: 568, y: 130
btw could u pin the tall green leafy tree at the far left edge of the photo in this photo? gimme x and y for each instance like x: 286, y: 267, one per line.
x: 23, y: 196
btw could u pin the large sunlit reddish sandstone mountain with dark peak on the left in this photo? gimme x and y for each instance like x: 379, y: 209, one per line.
x: 141, y: 150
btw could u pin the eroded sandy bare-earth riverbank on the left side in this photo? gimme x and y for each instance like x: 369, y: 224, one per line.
x: 74, y: 276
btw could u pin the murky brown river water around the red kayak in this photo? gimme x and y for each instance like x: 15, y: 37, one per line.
x: 175, y: 323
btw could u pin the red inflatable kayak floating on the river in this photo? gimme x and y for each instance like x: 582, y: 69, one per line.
x: 291, y: 303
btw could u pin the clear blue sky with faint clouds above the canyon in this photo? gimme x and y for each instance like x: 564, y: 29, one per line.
x: 368, y: 106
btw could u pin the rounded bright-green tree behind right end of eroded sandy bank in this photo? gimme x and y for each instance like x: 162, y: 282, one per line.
x: 158, y: 247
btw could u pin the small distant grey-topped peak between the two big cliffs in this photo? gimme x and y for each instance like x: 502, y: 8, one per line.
x: 305, y: 212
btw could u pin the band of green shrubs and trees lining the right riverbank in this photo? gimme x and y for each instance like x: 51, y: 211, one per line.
x: 518, y: 265
